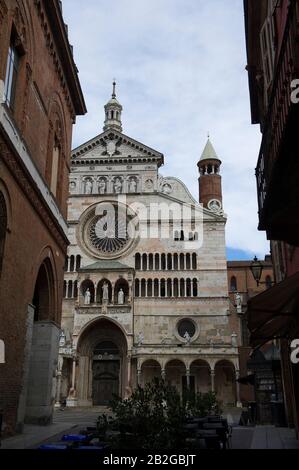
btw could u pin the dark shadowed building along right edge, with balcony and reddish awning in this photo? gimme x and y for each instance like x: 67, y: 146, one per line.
x: 272, y: 29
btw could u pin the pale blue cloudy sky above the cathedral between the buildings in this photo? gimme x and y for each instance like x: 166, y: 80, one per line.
x: 180, y: 72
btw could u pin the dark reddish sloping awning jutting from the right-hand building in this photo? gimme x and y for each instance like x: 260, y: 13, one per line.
x: 275, y: 312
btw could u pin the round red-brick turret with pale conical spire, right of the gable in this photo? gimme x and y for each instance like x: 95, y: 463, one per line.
x: 210, y: 181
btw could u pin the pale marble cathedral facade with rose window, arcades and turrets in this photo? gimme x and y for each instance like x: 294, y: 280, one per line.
x: 145, y: 289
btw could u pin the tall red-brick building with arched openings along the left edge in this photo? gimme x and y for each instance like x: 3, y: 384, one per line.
x: 40, y: 96
